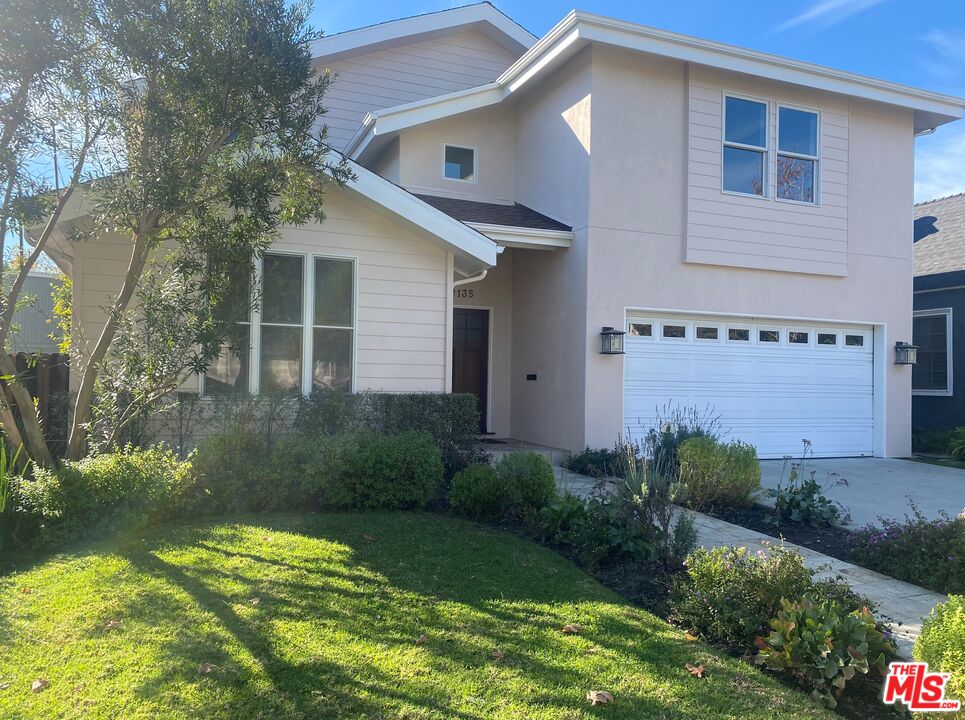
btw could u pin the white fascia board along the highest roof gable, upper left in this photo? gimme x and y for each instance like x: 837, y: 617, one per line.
x: 394, y: 31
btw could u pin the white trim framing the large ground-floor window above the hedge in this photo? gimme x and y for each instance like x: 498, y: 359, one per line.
x: 308, y: 325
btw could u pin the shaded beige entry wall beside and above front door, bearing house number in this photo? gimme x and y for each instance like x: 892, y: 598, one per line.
x: 495, y: 293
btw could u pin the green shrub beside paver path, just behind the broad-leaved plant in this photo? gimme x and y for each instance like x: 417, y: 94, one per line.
x: 728, y: 596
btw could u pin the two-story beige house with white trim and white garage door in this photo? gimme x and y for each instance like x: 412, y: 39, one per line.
x: 743, y: 217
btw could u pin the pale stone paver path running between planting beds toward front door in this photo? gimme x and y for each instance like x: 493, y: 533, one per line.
x: 900, y: 602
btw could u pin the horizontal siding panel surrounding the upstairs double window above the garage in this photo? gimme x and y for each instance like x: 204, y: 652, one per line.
x: 726, y: 229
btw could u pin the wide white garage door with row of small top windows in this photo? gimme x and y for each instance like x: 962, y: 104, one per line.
x: 772, y: 383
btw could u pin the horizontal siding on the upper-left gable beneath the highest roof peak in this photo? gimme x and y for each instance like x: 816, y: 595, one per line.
x: 408, y: 73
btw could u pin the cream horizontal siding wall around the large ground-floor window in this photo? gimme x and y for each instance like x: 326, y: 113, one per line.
x: 402, y: 295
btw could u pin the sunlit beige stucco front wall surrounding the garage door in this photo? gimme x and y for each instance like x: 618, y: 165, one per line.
x: 637, y: 235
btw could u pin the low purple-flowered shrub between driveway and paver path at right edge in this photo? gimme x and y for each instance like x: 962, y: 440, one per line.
x: 930, y: 553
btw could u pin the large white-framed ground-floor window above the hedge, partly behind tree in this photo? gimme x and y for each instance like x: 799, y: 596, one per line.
x: 302, y: 335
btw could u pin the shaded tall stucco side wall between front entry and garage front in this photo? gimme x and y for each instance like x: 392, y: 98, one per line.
x: 549, y: 288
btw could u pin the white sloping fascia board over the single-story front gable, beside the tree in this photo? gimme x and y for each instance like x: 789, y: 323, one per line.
x: 456, y: 236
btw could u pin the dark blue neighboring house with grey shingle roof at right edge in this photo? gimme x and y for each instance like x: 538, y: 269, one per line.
x: 939, y: 313
